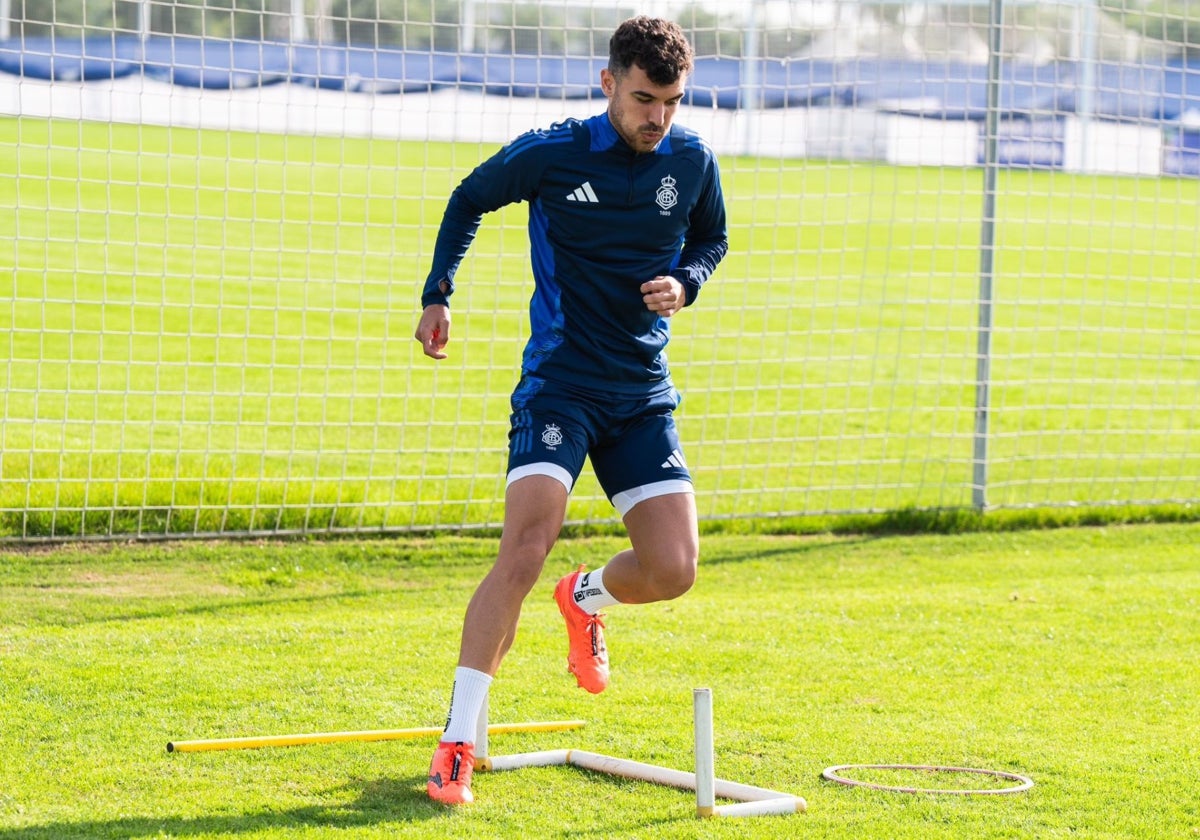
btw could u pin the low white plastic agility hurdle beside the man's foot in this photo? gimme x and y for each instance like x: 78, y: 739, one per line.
x: 749, y: 800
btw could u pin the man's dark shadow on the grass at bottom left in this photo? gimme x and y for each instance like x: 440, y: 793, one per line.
x: 383, y: 801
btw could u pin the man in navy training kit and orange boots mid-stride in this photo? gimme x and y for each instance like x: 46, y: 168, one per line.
x: 627, y: 221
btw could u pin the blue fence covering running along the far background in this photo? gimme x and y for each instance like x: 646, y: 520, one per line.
x: 949, y: 91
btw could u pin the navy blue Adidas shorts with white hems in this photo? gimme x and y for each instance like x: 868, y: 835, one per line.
x: 633, y: 443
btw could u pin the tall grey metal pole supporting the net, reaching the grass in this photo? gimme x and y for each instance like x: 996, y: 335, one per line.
x: 987, y: 261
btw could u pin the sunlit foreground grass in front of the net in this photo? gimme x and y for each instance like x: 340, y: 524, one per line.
x: 1065, y: 656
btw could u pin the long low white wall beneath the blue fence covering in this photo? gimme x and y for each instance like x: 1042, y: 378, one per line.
x: 843, y: 134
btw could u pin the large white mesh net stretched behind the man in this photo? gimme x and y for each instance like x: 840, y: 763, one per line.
x: 964, y: 249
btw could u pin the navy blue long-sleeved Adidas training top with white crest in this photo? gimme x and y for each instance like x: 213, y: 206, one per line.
x: 603, y: 221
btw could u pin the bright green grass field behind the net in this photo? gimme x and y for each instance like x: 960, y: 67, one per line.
x: 211, y: 332
